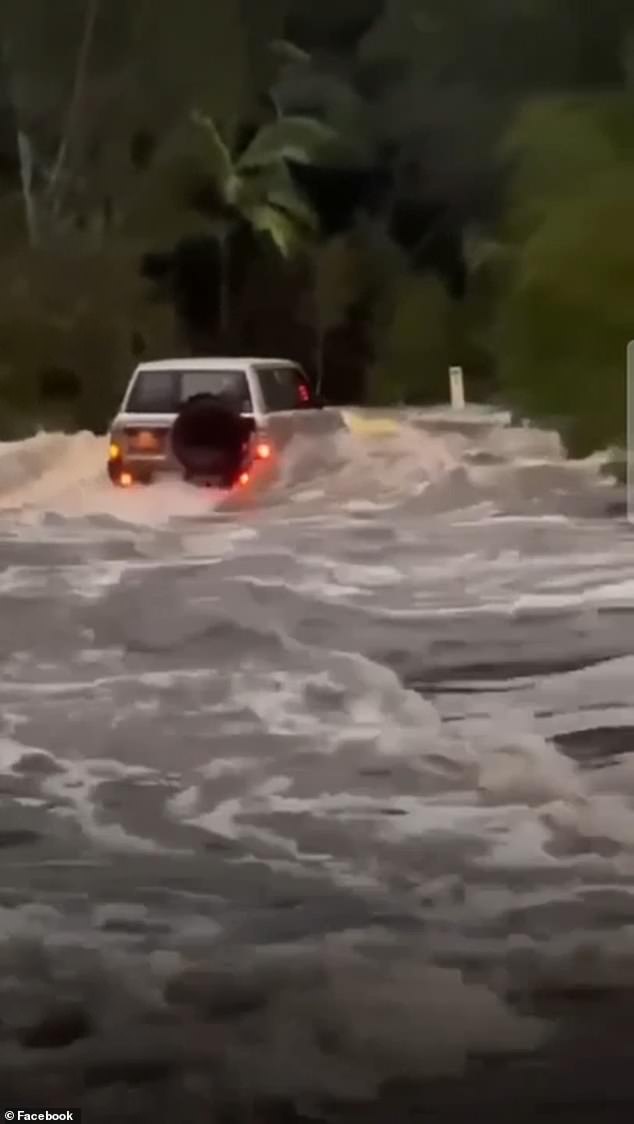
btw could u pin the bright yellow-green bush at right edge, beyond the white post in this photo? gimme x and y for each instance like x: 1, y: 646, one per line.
x: 569, y: 316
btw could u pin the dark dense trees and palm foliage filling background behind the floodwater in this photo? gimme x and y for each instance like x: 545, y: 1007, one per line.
x: 378, y: 188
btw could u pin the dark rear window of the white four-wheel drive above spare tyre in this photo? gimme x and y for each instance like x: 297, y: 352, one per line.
x: 165, y: 392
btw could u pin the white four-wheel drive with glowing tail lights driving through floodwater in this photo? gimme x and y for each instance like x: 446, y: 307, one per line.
x: 211, y: 421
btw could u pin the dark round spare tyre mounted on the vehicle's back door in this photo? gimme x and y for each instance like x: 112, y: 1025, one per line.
x: 209, y: 439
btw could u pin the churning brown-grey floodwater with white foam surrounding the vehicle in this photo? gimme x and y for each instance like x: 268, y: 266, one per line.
x: 321, y: 800
